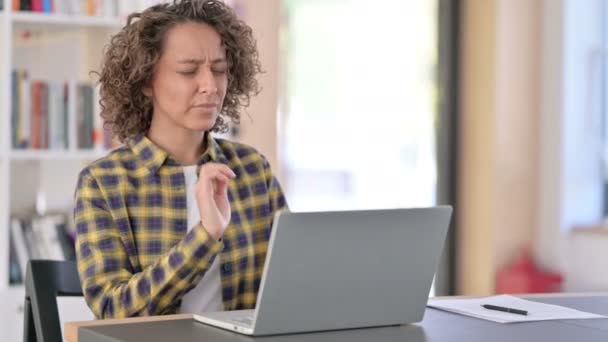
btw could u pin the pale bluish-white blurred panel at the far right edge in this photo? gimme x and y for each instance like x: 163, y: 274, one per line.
x: 582, y: 184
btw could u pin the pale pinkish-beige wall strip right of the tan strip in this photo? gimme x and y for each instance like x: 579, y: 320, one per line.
x: 517, y: 115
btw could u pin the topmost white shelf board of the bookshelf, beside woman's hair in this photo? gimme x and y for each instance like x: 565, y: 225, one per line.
x: 41, y: 19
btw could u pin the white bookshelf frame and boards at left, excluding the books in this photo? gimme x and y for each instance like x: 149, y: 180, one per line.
x: 58, y: 48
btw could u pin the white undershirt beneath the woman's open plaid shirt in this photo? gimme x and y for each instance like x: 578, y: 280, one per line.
x: 207, y: 295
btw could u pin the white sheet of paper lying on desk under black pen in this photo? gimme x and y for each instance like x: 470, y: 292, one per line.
x: 536, y: 311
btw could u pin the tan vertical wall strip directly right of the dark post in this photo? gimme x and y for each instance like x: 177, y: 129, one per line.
x: 477, y: 163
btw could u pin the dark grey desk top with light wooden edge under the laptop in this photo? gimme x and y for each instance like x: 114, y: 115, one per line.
x: 437, y: 326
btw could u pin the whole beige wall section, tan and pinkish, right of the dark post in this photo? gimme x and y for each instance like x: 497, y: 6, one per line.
x: 499, y: 109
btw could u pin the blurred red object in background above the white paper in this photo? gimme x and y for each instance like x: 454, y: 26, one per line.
x: 522, y: 276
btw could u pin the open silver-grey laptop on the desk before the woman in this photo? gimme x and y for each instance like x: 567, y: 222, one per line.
x: 341, y: 270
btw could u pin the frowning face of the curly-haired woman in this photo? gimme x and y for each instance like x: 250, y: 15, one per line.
x: 190, y: 79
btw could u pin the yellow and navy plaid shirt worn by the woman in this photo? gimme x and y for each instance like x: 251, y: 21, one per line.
x: 135, y: 254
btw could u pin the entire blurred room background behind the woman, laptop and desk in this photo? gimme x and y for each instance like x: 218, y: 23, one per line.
x: 497, y: 107
